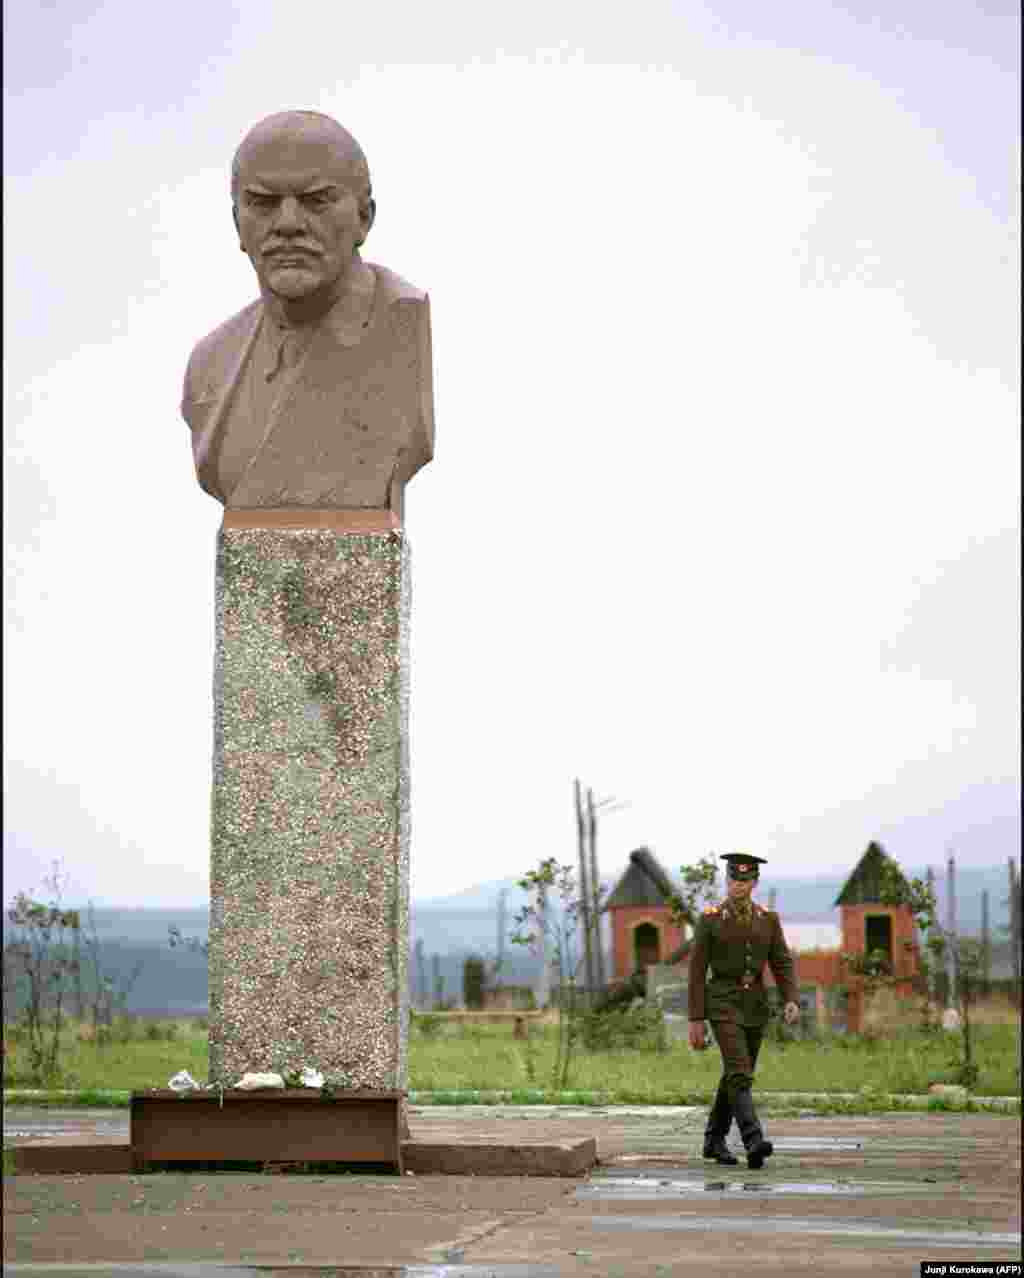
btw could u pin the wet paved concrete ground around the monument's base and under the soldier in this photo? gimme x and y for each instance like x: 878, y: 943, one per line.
x: 851, y: 1196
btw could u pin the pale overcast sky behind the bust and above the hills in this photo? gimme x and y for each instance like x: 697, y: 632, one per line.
x: 724, y: 511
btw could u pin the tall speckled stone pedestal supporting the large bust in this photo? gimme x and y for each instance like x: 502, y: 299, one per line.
x: 310, y: 831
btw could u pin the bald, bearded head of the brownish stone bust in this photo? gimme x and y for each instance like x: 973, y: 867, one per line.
x: 302, y: 204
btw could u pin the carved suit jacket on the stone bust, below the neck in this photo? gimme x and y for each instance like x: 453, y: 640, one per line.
x: 351, y: 424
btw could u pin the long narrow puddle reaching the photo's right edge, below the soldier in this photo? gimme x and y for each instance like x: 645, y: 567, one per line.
x: 832, y: 1229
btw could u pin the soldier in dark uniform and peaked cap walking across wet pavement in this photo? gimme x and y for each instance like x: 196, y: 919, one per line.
x: 736, y: 940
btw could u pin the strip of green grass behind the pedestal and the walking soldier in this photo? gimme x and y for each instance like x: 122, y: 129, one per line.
x: 490, y: 1059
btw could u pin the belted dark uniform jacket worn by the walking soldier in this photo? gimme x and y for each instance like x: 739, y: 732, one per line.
x: 728, y: 962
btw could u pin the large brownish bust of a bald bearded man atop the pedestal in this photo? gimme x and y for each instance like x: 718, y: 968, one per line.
x: 318, y: 396
